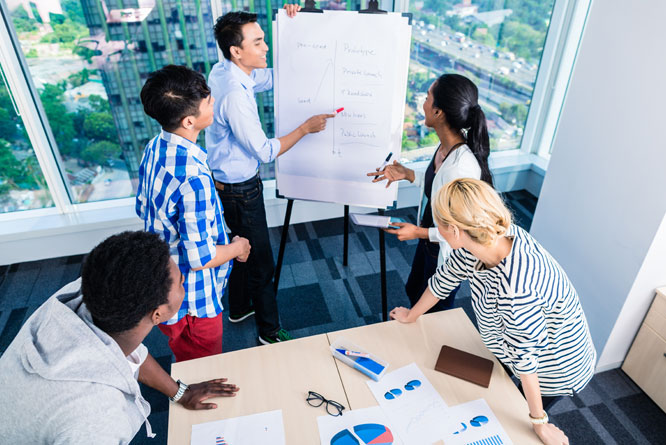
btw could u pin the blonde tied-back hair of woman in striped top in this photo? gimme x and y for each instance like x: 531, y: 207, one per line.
x: 473, y: 206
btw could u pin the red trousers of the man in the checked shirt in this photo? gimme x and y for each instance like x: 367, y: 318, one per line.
x: 194, y: 337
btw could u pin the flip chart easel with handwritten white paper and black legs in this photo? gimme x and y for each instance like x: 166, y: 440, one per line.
x: 359, y: 61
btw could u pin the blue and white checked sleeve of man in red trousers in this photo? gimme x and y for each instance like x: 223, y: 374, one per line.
x: 196, y: 210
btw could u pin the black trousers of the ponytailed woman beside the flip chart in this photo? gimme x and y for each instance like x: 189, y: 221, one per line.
x: 424, y: 267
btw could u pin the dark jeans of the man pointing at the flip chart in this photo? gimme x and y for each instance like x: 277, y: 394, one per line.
x: 251, y: 283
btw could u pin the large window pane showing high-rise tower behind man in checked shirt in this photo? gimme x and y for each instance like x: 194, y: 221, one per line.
x: 88, y: 60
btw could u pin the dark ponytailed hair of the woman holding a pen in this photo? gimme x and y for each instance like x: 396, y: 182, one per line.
x: 458, y: 98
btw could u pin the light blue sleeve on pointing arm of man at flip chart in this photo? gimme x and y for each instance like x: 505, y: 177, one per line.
x: 246, y: 127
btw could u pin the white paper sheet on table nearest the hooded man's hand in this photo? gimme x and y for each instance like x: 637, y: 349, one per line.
x: 247, y: 430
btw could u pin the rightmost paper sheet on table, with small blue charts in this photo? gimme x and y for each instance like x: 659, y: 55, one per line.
x: 476, y: 424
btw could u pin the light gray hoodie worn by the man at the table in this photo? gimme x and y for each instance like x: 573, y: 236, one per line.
x: 65, y: 381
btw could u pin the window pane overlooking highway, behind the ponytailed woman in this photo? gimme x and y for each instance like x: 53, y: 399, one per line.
x: 497, y: 45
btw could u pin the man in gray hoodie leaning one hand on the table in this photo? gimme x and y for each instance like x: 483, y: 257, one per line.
x: 70, y: 375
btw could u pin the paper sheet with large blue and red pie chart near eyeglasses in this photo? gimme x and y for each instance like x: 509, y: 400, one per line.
x: 360, y: 426
